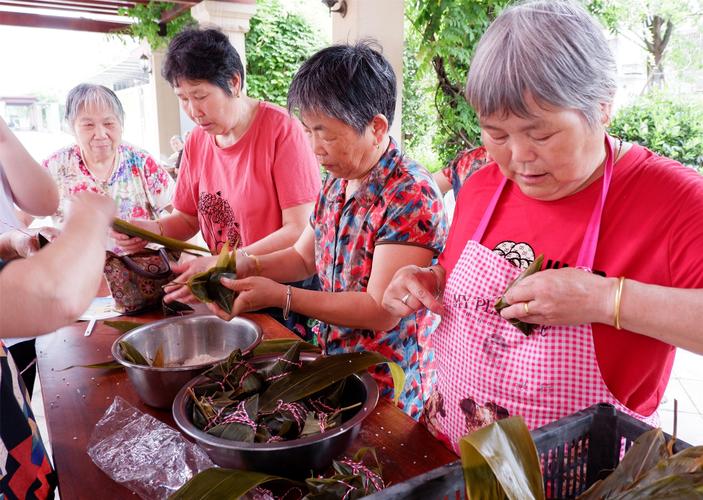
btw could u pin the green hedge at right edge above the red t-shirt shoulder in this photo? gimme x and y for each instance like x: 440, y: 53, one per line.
x: 666, y: 125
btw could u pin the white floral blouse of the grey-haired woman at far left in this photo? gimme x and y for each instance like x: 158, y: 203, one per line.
x: 140, y: 187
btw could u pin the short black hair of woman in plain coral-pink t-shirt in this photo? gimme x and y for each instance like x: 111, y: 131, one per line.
x: 202, y: 54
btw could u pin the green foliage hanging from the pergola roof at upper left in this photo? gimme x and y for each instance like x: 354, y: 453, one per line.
x: 148, y: 24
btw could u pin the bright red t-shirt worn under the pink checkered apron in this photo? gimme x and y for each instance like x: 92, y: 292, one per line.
x: 651, y: 231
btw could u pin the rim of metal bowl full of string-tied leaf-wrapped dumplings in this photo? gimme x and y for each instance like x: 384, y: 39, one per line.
x: 186, y: 426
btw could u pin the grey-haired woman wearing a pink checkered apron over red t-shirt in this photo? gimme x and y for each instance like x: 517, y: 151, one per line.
x: 619, y: 227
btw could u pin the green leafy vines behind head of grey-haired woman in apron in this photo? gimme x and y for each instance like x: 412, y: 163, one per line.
x: 445, y: 33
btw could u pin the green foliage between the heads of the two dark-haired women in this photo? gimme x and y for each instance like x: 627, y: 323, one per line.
x: 277, y: 44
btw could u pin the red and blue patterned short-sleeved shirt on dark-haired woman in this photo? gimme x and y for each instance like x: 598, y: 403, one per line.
x: 398, y: 204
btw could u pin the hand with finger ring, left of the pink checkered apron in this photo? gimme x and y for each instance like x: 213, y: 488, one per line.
x: 414, y: 287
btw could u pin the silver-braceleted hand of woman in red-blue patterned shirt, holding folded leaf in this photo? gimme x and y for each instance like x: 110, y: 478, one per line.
x: 254, y: 293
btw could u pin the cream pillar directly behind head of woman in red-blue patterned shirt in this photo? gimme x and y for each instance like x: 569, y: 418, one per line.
x: 382, y: 21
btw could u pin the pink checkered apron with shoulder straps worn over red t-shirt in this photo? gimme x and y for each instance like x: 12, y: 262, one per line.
x: 488, y: 369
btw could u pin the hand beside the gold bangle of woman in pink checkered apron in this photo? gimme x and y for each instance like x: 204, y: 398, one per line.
x: 564, y: 296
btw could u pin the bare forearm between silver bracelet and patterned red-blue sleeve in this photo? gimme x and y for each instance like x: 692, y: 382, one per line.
x: 350, y: 309
